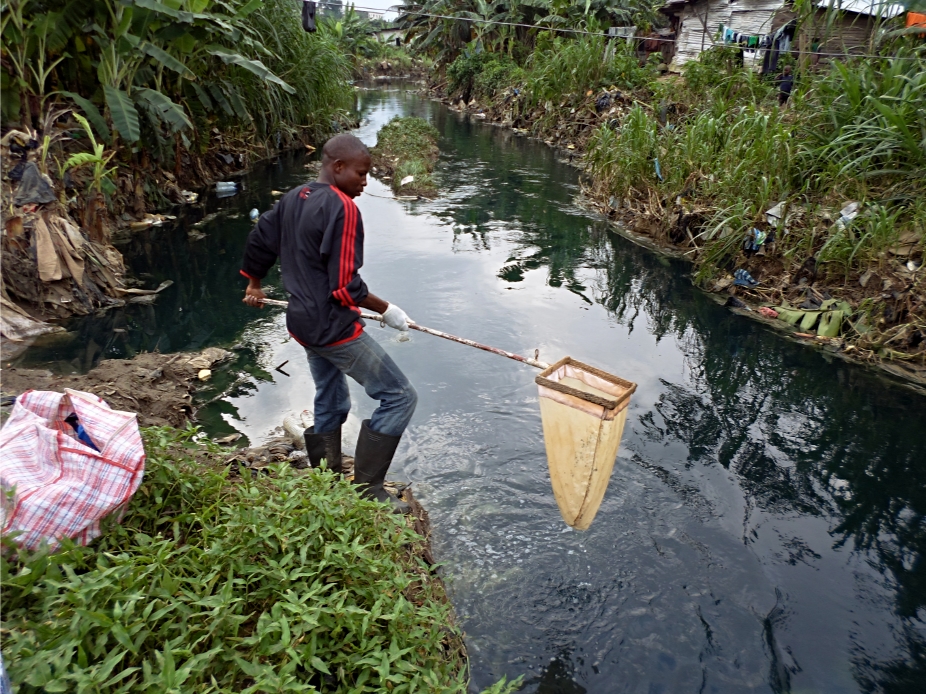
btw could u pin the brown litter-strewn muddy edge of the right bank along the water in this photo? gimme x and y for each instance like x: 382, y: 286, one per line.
x: 879, y: 312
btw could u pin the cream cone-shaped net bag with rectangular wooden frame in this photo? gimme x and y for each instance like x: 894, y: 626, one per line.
x: 583, y: 411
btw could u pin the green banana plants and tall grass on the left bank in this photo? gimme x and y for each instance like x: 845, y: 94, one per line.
x: 165, y: 73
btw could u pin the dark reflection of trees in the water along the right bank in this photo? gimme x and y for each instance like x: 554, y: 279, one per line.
x: 802, y: 435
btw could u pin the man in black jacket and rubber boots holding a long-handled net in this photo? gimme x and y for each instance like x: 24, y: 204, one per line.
x: 317, y: 233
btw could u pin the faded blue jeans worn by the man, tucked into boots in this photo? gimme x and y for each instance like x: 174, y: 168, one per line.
x: 367, y: 363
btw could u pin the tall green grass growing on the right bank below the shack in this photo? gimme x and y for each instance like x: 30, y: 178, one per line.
x: 853, y: 132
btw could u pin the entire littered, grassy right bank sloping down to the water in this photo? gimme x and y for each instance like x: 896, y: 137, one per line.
x: 822, y: 203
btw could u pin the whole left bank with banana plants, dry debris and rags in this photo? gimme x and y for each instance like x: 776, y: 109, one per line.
x: 116, y: 112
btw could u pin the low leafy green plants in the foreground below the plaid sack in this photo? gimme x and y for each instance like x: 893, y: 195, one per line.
x: 284, y: 582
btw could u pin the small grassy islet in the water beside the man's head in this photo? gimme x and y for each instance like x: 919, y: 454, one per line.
x: 406, y: 147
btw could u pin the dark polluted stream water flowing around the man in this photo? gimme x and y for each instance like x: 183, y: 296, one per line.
x: 763, y: 529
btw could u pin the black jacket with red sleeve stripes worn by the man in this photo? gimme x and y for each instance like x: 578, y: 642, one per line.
x: 316, y: 232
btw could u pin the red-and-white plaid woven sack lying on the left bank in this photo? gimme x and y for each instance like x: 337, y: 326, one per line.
x: 55, y: 486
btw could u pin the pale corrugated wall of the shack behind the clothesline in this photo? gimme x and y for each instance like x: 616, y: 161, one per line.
x: 747, y: 16
